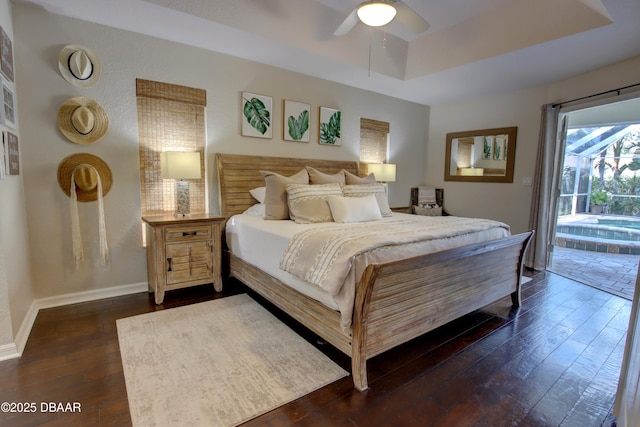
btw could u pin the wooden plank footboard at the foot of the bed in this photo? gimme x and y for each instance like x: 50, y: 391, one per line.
x: 401, y: 300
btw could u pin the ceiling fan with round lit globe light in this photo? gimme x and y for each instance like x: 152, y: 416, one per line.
x: 379, y: 13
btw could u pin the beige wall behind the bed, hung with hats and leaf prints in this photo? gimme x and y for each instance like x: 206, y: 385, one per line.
x: 126, y: 56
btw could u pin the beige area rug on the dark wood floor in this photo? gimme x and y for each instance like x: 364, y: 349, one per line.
x: 216, y: 363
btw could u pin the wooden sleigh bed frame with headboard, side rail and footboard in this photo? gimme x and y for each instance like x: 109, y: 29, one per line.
x: 395, y: 301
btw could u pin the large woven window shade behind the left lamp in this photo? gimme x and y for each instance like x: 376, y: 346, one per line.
x: 170, y: 118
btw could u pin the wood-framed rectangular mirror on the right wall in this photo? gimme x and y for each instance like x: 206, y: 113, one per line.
x: 485, y: 155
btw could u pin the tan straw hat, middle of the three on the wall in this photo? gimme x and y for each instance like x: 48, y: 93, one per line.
x: 82, y: 120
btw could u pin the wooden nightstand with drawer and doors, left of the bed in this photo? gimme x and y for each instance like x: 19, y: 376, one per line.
x: 182, y: 252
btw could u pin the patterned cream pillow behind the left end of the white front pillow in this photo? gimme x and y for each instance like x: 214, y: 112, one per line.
x: 308, y: 203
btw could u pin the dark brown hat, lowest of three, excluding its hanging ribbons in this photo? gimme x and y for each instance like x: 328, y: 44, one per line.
x: 87, y: 167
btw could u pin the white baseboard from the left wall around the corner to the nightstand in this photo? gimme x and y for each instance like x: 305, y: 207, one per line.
x: 11, y: 351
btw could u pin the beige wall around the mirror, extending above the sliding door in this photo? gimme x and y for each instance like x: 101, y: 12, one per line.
x: 509, y: 202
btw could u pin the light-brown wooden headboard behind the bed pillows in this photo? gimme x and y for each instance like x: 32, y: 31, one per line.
x: 237, y: 174
